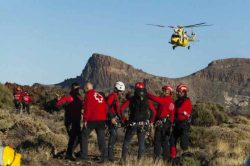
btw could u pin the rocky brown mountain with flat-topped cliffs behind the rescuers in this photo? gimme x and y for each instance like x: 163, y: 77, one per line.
x: 223, y: 81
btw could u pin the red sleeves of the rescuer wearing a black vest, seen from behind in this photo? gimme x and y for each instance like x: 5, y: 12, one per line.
x: 128, y: 102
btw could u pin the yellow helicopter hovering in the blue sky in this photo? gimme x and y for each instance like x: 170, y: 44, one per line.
x: 180, y: 37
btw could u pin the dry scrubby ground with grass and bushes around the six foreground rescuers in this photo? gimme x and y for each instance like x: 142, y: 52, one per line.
x: 42, y: 140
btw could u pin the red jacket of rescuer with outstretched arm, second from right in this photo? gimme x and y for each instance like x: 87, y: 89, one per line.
x: 166, y: 107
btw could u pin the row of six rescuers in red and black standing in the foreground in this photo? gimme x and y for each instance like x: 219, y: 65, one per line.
x: 171, y: 120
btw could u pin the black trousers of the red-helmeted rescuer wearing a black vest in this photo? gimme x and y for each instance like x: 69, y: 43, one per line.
x: 127, y: 139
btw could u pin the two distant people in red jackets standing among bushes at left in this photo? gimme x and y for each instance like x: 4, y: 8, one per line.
x: 22, y: 100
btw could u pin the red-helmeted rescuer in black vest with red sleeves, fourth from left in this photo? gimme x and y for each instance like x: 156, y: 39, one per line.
x: 140, y: 119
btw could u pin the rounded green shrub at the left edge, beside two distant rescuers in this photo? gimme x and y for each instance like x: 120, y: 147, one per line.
x: 6, y: 97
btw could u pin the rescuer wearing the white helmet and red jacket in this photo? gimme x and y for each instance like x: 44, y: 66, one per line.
x: 114, y: 116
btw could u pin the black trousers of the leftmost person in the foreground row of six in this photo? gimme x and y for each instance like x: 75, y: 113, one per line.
x: 74, y: 136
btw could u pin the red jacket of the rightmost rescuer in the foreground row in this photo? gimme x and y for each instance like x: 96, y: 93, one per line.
x: 183, y: 109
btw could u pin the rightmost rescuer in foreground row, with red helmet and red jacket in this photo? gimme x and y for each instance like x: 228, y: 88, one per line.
x: 182, y: 120
